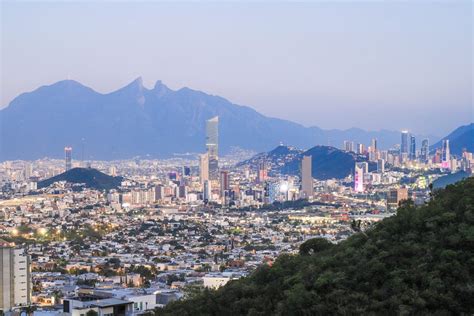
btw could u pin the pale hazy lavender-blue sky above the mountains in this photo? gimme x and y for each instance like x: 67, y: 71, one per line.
x: 374, y: 65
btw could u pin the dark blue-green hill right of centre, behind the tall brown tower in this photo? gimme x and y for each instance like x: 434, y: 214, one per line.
x: 327, y: 163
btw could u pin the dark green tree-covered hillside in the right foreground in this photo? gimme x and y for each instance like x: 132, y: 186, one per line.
x: 418, y: 262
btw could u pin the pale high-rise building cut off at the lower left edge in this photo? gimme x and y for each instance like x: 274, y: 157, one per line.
x: 15, y: 278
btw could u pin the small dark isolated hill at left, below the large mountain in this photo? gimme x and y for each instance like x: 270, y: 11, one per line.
x: 92, y: 178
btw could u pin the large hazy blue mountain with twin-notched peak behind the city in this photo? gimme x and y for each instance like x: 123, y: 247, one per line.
x: 136, y: 121
